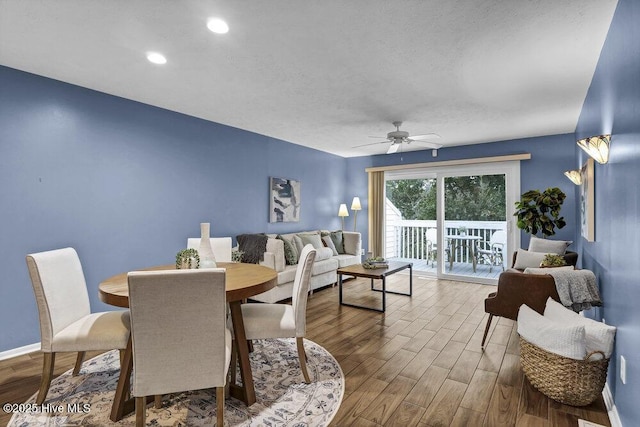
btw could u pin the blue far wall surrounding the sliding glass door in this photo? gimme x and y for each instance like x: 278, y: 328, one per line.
x: 550, y: 157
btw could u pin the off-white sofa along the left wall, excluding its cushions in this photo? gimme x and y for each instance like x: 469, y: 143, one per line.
x: 324, y: 267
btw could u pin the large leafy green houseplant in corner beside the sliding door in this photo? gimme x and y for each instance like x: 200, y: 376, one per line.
x: 540, y: 211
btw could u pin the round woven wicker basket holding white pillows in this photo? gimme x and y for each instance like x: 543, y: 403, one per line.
x: 569, y: 381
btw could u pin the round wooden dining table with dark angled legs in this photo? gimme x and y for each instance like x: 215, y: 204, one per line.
x: 242, y: 281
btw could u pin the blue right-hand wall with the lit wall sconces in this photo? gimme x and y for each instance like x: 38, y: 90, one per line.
x: 612, y: 106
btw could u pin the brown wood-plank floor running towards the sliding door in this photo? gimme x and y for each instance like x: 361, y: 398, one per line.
x: 419, y: 364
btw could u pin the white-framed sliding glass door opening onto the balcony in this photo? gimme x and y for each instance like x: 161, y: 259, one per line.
x: 453, y: 222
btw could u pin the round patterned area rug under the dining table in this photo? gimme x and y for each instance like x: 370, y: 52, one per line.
x: 282, y: 396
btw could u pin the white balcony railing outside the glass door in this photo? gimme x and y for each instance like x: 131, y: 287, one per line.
x: 412, y: 238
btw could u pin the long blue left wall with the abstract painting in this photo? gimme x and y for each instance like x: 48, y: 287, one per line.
x: 125, y: 184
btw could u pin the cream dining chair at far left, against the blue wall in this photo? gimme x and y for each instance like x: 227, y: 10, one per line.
x: 66, y: 321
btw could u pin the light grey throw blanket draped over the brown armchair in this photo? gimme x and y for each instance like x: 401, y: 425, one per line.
x: 577, y: 288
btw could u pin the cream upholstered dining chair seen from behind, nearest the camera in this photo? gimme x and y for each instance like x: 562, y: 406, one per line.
x: 180, y: 337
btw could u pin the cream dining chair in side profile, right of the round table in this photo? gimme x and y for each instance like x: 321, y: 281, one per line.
x: 283, y: 320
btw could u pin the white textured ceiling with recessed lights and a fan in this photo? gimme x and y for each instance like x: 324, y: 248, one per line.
x: 327, y: 74
